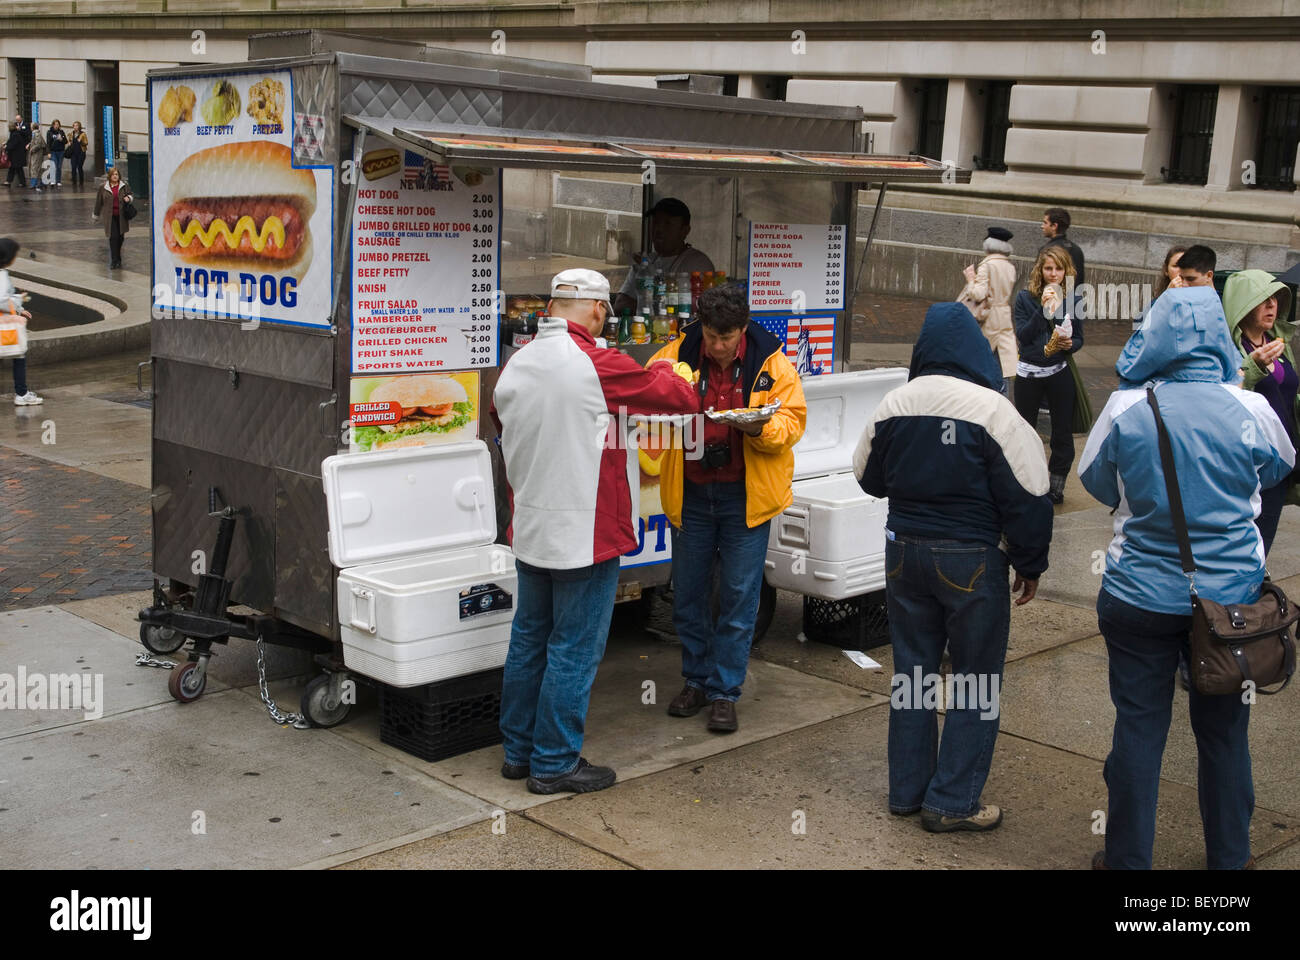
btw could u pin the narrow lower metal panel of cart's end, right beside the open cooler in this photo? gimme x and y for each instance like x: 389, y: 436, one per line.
x: 305, y: 577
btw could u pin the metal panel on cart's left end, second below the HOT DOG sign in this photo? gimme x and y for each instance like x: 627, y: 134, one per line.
x: 258, y: 421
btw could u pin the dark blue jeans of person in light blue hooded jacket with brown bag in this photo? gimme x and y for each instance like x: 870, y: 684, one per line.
x: 1143, y: 650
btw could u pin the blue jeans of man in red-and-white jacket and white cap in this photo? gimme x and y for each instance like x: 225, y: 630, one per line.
x: 562, y: 621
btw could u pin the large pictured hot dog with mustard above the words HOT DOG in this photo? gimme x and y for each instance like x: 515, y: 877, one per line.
x: 240, y: 207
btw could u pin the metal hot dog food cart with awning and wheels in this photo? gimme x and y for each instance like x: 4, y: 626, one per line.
x: 246, y: 409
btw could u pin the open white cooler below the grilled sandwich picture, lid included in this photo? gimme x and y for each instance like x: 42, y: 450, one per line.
x: 423, y: 593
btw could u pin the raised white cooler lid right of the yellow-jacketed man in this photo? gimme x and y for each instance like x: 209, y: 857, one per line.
x: 839, y: 409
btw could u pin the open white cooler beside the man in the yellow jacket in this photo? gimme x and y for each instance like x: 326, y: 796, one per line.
x: 831, y: 542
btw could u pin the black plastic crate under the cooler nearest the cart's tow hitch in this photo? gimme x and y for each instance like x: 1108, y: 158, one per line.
x: 445, y: 719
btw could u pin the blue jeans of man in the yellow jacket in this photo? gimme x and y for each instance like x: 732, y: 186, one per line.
x: 716, y: 656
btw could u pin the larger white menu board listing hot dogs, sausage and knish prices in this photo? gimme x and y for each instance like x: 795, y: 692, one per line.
x: 426, y: 265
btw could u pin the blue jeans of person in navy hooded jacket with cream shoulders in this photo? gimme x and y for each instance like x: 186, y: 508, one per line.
x: 955, y: 594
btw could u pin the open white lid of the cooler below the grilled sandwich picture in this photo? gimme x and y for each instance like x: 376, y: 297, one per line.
x: 409, y: 503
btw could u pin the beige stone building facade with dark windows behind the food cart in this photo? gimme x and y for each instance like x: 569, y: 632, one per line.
x: 1173, y: 122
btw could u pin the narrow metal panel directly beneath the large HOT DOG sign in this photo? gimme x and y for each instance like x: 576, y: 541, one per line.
x: 274, y: 352
